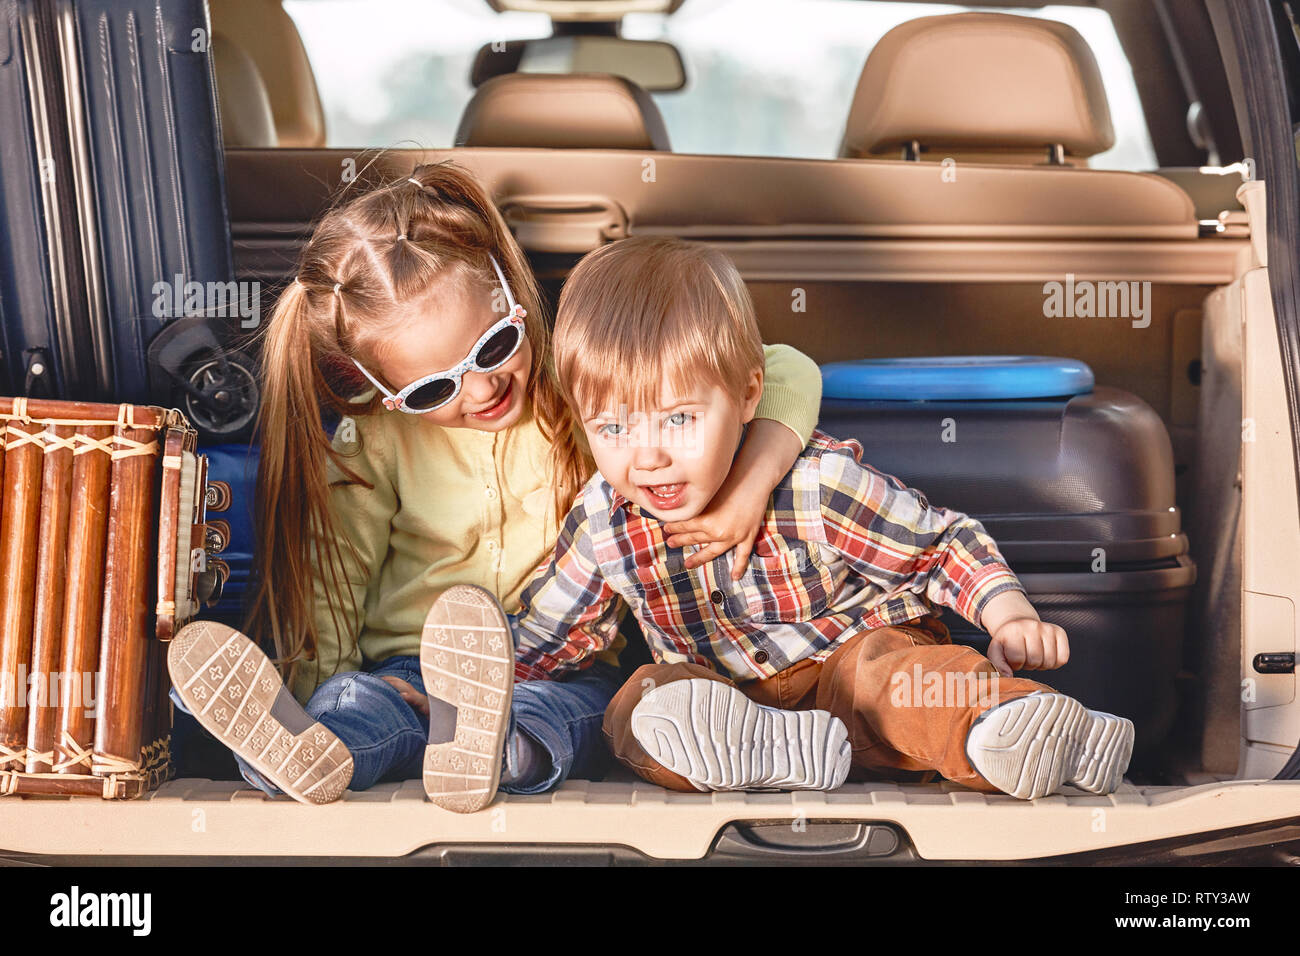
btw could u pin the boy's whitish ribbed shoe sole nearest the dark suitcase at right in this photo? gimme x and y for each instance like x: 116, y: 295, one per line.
x: 1033, y: 746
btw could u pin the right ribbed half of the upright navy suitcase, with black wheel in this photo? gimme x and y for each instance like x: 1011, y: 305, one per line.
x: 158, y: 172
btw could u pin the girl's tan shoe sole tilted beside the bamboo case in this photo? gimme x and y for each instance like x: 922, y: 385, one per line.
x: 235, y: 693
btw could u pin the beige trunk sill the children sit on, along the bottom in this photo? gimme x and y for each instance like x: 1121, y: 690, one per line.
x: 206, y: 819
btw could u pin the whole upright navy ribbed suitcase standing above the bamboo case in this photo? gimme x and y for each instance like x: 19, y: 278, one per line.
x: 116, y: 275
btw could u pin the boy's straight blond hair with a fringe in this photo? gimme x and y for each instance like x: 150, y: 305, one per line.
x: 648, y: 313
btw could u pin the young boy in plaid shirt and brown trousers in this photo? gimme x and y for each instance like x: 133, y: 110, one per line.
x: 811, y: 659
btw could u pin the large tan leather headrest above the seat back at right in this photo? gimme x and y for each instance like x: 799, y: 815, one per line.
x: 983, y: 84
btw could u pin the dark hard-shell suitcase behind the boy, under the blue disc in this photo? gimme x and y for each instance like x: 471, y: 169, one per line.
x: 1080, y: 495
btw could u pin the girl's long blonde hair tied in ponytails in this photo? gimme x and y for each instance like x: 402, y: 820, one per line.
x: 366, y: 259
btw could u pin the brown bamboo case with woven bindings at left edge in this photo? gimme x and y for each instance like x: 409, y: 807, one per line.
x: 103, y: 556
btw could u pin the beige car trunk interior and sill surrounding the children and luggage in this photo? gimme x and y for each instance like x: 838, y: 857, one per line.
x: 877, y: 269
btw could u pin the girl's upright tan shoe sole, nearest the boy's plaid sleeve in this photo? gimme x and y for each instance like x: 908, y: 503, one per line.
x: 467, y: 659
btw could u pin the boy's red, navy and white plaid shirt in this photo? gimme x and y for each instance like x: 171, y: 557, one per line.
x: 844, y: 548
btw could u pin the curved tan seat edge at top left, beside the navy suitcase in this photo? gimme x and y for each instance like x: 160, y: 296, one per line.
x: 267, y: 34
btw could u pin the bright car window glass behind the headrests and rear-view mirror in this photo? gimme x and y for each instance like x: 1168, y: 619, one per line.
x: 764, y: 77
